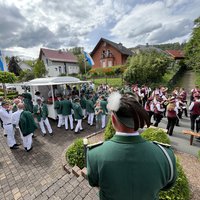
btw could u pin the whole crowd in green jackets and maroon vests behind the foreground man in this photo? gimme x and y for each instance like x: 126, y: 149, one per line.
x: 73, y: 105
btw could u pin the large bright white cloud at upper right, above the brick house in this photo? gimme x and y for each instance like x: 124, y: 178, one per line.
x: 157, y: 22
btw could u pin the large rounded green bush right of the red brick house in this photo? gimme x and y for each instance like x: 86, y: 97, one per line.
x: 146, y: 67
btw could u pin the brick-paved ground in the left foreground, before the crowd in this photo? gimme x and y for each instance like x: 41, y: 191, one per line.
x: 39, y: 173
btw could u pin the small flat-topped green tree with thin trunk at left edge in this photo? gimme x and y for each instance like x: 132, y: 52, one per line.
x: 7, y: 77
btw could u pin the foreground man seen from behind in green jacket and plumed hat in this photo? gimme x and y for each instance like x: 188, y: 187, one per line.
x: 127, y: 167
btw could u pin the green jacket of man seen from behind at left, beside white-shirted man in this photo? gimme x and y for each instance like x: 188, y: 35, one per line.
x: 26, y: 123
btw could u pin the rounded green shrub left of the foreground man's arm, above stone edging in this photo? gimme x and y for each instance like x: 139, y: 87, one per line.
x: 75, y: 154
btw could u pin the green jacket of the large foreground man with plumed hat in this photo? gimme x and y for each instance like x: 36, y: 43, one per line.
x: 129, y: 168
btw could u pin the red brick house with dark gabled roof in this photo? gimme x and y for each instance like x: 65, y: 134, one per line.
x: 107, y: 53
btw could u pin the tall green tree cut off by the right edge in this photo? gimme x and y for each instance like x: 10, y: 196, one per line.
x: 192, y: 49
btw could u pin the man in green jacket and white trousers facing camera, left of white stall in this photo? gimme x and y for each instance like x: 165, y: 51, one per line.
x: 40, y: 111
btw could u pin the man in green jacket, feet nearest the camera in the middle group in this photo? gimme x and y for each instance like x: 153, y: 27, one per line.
x: 78, y: 115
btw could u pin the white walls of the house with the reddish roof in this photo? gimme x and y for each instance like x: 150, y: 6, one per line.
x: 57, y: 68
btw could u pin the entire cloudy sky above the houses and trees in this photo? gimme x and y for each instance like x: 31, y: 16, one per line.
x: 27, y: 25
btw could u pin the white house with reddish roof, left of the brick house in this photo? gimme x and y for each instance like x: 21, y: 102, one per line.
x: 59, y: 62
